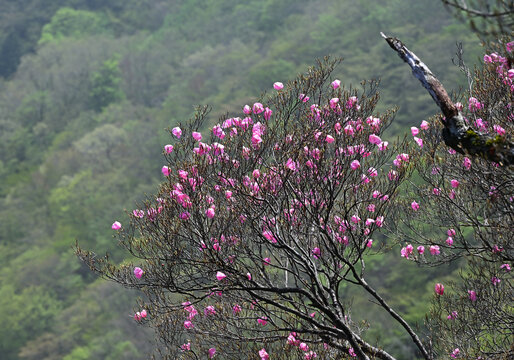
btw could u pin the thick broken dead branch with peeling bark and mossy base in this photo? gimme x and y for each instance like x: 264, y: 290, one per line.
x: 456, y: 133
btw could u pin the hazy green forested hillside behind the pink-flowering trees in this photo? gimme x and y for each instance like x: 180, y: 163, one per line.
x: 87, y: 89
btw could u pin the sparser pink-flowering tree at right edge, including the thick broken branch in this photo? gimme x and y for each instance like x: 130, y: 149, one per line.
x: 466, y: 207
